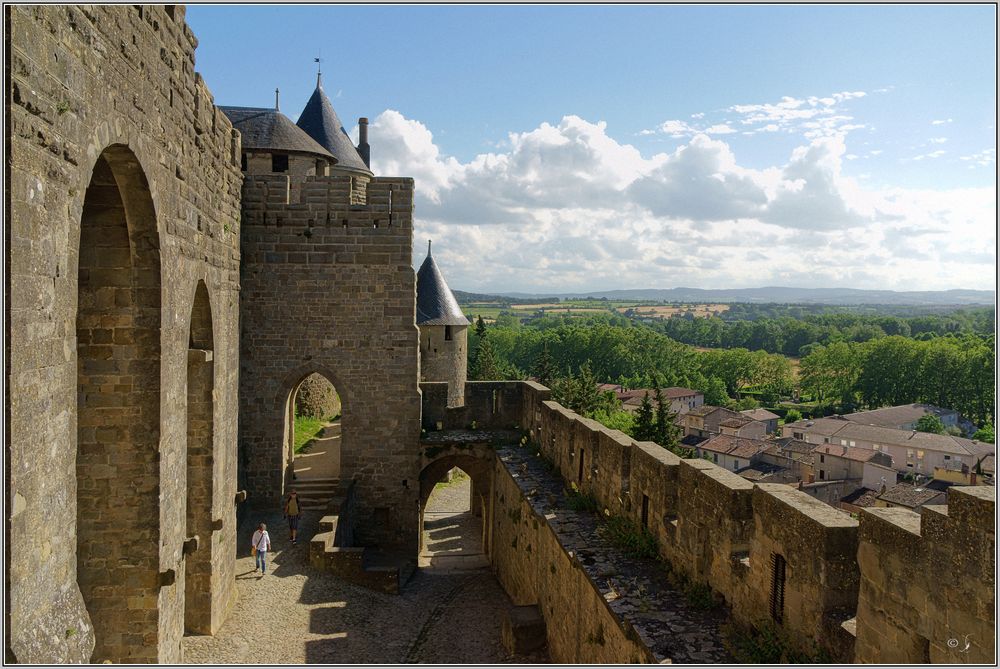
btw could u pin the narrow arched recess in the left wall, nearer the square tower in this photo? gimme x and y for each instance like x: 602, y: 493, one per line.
x: 200, y: 462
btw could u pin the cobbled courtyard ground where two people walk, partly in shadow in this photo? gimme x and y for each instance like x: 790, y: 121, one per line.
x: 297, y: 614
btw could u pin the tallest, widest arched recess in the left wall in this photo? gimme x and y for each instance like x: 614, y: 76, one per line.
x: 118, y: 409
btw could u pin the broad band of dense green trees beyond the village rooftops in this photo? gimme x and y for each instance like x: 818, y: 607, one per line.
x: 952, y: 371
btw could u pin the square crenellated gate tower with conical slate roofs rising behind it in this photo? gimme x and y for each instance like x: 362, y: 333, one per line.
x: 327, y: 287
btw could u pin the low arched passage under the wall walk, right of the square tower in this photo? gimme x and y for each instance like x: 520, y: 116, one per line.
x: 453, y: 534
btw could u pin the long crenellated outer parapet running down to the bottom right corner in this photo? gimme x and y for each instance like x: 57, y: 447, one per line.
x: 895, y: 587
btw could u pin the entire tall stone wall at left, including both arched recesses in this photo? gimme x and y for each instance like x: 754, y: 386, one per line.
x: 123, y: 188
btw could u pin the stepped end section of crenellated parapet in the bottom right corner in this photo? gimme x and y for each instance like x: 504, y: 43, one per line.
x: 927, y: 581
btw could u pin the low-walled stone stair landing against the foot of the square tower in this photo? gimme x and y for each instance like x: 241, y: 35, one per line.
x: 331, y: 550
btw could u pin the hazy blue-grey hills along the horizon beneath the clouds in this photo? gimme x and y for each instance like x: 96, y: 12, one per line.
x: 775, y: 294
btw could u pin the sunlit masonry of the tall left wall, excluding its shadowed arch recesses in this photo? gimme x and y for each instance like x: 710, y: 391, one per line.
x: 81, y: 80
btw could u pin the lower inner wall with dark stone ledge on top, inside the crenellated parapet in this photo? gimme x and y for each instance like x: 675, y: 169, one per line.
x: 598, y: 605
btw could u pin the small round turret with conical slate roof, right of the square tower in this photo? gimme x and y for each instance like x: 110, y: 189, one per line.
x: 443, y: 332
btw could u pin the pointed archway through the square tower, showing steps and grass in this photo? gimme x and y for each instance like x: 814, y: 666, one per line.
x: 314, y: 439
